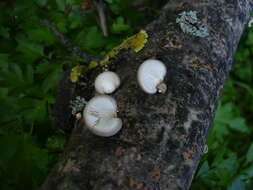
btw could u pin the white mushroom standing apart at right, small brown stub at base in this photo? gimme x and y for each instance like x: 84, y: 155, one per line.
x: 150, y: 76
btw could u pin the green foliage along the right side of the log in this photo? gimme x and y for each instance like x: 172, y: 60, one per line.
x: 229, y: 162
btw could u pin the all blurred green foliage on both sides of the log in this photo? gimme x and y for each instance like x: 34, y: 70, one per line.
x: 32, y: 60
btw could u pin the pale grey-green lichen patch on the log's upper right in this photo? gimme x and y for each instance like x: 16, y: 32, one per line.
x: 190, y: 24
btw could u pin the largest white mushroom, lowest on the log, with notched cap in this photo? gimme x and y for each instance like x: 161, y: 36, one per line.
x: 100, y: 116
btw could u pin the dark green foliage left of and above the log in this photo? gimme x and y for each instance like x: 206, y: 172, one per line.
x: 31, y: 62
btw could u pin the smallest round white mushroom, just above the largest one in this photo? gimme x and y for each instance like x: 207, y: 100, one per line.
x: 107, y: 82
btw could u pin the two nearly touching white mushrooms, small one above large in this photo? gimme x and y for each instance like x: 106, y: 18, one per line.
x: 100, y: 113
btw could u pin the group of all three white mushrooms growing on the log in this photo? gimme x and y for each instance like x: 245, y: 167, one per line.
x: 100, y: 113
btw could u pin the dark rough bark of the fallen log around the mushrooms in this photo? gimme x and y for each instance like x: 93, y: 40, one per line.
x: 163, y: 135
